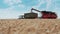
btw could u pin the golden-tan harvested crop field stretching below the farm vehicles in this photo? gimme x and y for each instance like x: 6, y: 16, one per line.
x: 30, y: 26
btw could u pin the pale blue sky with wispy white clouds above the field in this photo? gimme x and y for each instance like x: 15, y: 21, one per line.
x: 11, y: 9
